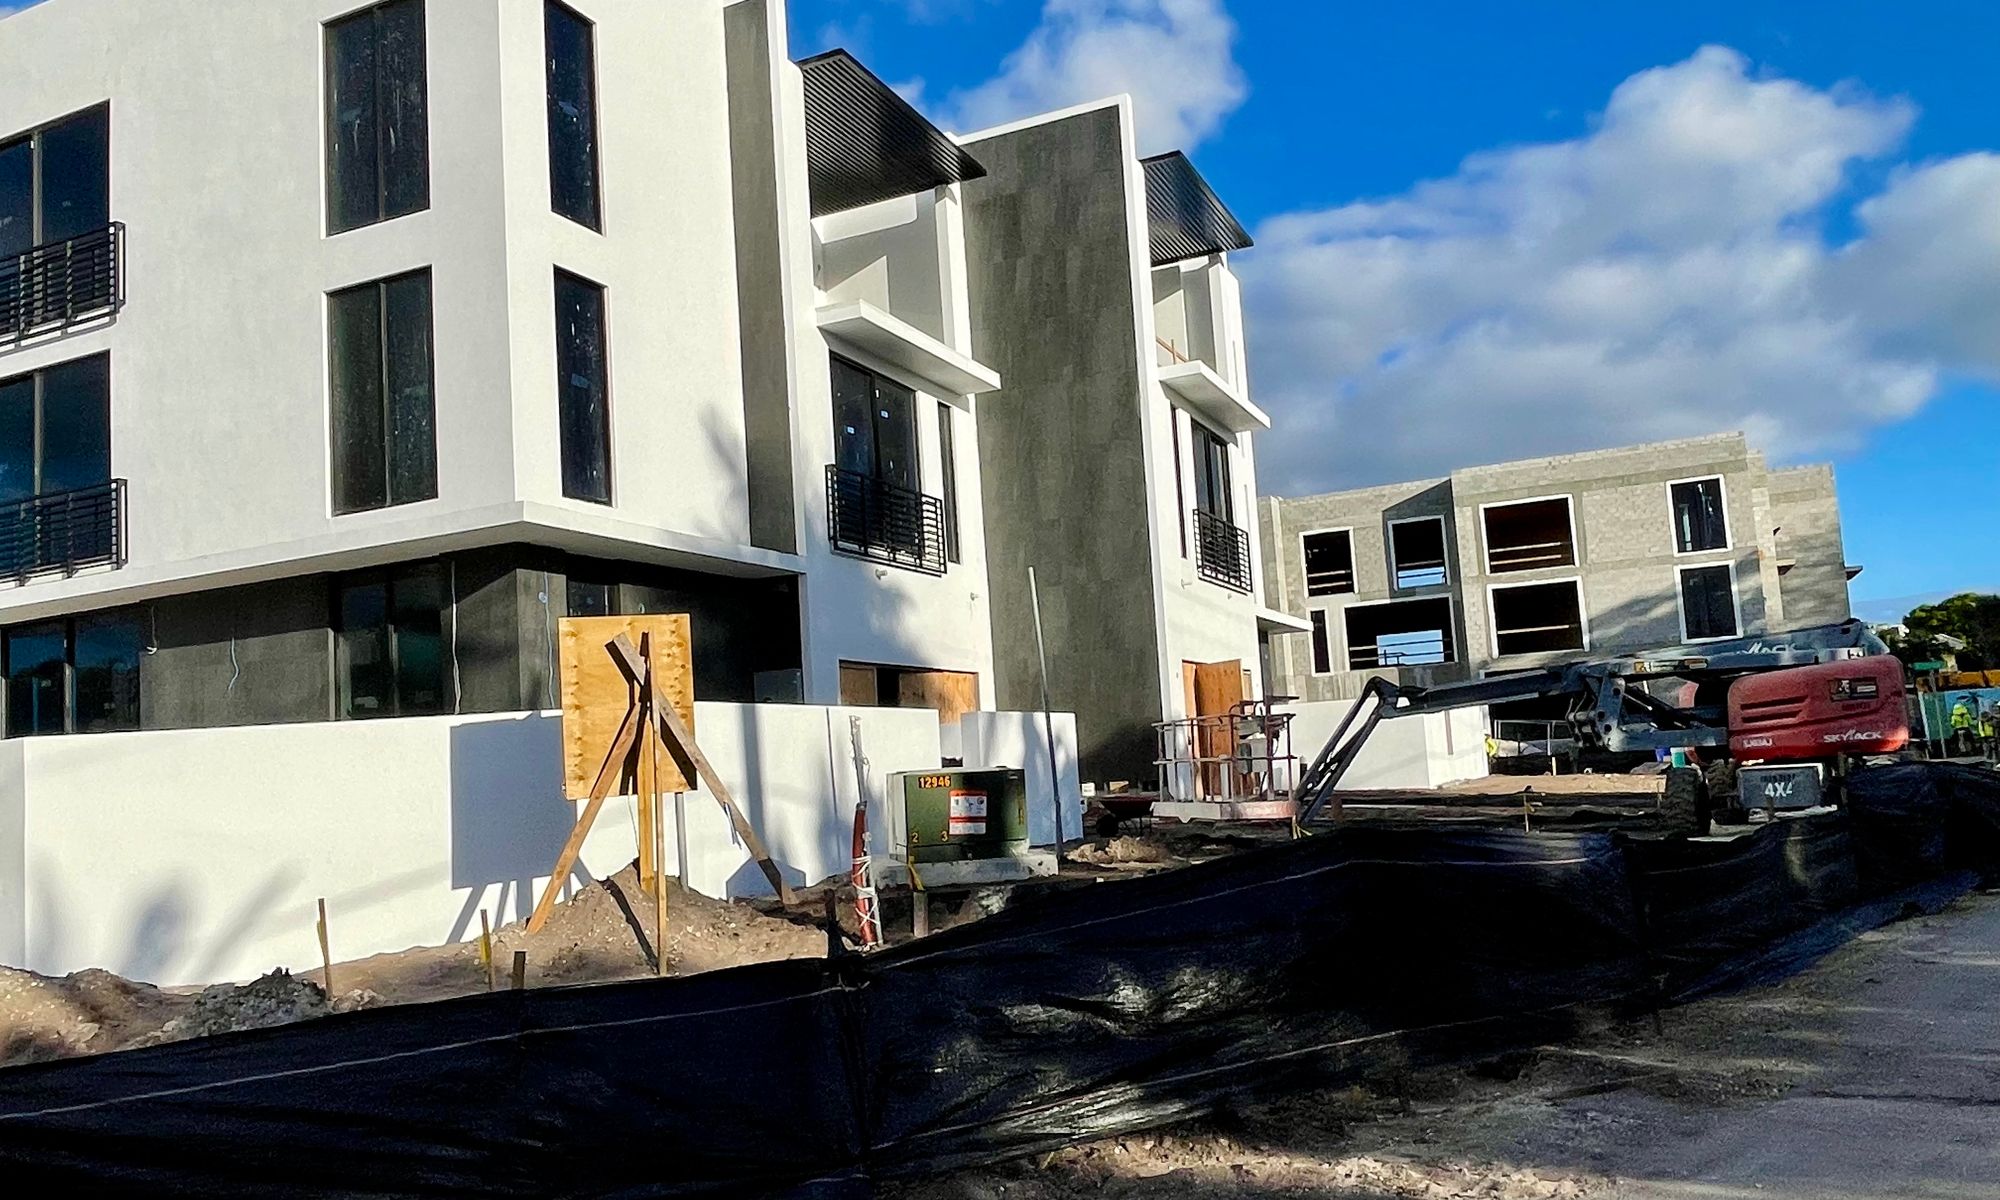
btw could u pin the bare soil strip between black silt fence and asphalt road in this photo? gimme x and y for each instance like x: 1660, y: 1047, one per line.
x: 1559, y: 1123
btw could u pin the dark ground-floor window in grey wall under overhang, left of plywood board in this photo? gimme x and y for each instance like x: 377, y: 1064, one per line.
x: 391, y: 643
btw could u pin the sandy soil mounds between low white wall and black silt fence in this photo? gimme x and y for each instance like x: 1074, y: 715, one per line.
x: 603, y: 935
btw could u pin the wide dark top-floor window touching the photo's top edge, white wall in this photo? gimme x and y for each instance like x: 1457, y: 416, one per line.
x: 377, y: 117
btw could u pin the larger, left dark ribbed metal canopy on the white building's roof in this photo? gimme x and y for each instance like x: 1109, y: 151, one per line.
x: 865, y: 143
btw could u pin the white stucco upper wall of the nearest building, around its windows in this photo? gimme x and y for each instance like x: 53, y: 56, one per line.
x: 219, y: 359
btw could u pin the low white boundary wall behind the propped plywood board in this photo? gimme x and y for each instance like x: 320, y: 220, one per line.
x: 195, y: 857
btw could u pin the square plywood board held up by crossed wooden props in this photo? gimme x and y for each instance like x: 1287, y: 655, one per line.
x: 597, y: 695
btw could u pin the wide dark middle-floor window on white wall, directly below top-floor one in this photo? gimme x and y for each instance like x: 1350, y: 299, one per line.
x: 385, y: 413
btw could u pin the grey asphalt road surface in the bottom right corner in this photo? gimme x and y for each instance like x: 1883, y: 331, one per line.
x: 1901, y: 1093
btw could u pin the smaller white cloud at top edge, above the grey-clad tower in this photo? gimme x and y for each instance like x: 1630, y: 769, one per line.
x: 1175, y: 57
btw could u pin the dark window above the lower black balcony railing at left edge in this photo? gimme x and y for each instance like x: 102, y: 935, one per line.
x: 55, y: 429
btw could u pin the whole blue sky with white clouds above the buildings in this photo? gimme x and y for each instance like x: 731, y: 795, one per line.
x: 1495, y: 231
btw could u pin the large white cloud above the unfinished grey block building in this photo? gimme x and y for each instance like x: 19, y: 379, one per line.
x: 1663, y: 275
